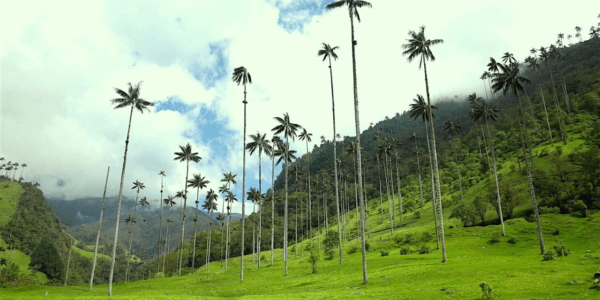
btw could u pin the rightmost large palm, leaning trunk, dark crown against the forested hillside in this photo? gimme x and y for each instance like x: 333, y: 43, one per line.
x: 510, y: 80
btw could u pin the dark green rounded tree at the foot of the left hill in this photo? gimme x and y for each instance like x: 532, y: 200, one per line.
x: 45, y: 259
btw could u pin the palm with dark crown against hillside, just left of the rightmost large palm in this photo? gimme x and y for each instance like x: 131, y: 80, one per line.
x: 480, y: 111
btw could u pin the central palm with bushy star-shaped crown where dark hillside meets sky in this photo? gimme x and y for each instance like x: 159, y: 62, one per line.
x: 289, y: 130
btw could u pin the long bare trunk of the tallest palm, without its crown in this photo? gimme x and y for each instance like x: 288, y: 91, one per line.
x: 358, y: 156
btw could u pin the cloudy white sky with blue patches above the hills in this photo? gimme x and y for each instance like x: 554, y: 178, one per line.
x: 62, y: 60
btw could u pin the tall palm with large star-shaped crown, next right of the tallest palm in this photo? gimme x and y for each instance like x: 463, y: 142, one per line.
x: 418, y: 46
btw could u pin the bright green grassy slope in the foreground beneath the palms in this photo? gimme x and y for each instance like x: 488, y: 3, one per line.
x: 515, y: 271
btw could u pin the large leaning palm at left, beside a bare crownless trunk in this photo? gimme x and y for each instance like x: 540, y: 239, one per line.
x: 130, y: 98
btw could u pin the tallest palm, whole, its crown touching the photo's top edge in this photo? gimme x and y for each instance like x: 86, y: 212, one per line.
x: 353, y: 6
